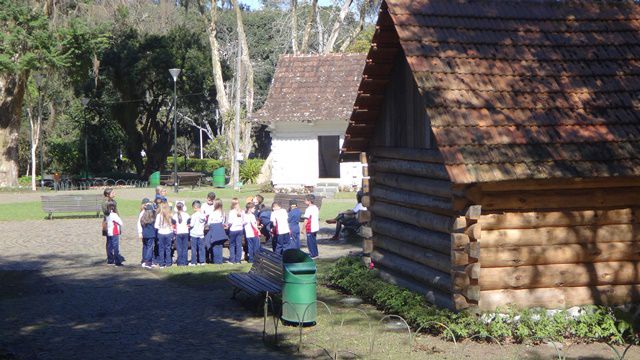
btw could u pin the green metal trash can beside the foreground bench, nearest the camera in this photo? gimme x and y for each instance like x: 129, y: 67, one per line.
x: 298, y: 288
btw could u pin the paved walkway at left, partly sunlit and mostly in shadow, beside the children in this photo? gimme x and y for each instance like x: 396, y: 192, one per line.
x: 64, y: 303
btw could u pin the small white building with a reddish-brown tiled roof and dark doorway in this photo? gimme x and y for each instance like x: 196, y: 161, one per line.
x: 309, y: 103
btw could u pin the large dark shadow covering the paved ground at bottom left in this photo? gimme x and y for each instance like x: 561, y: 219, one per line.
x: 103, y: 312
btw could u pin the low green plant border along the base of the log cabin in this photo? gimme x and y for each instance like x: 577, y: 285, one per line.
x: 597, y: 323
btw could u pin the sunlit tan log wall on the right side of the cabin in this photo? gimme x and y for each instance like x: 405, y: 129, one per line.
x: 559, y: 259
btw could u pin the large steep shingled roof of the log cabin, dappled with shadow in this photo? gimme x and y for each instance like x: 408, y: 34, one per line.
x: 515, y: 89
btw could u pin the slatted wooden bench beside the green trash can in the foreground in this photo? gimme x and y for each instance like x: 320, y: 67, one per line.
x: 264, y: 277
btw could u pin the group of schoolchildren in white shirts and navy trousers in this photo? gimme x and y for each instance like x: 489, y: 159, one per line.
x: 162, y: 226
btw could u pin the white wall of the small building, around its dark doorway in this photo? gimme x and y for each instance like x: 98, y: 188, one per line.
x: 294, y: 149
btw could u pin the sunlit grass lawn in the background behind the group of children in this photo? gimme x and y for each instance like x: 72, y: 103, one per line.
x: 127, y: 206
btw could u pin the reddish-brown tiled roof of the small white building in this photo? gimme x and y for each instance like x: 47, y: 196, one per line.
x: 313, y: 88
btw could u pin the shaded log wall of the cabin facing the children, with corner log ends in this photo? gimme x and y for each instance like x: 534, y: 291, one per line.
x: 422, y: 239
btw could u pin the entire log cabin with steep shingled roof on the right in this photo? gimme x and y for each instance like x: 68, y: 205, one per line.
x: 501, y: 149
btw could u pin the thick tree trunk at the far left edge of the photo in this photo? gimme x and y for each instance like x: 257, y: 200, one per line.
x: 12, y: 89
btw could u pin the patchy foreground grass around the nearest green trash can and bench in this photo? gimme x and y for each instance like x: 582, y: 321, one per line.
x: 347, y: 329
